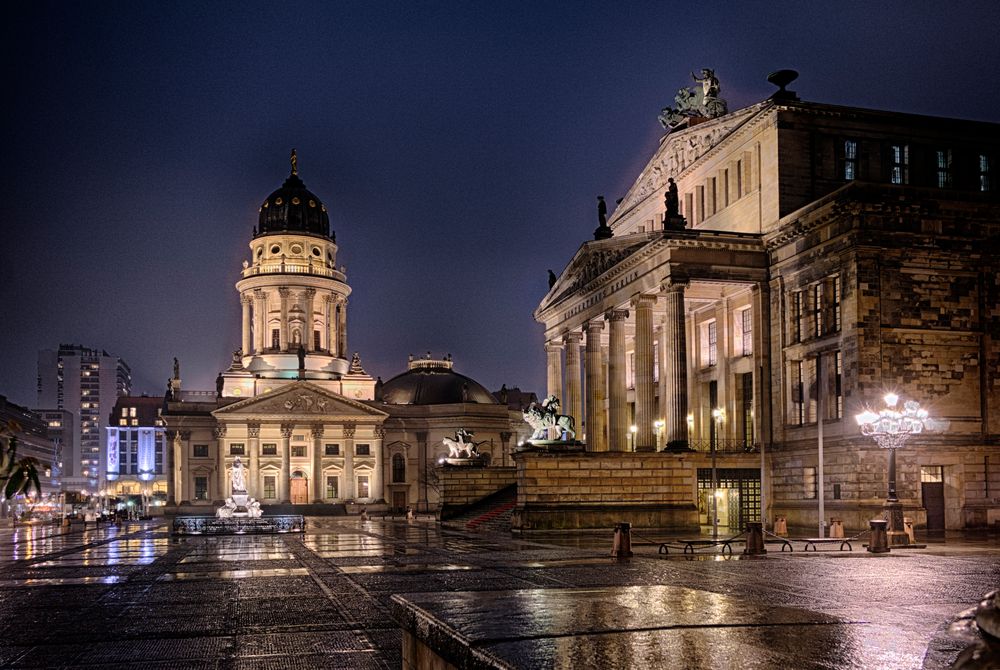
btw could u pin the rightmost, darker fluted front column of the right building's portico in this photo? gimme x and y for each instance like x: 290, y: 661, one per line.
x: 673, y: 378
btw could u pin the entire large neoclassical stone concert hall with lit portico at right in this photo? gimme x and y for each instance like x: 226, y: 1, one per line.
x: 821, y: 255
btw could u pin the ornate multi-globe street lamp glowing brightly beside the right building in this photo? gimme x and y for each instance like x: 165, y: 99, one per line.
x: 891, y: 428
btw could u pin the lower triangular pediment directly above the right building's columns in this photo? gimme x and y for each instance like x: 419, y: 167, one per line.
x: 597, y: 260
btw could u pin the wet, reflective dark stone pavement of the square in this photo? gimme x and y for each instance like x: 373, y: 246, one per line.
x: 127, y: 598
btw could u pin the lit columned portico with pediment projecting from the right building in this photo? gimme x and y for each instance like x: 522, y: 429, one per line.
x: 626, y: 320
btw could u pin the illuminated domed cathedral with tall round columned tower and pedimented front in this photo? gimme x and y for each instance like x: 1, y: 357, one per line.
x: 312, y: 428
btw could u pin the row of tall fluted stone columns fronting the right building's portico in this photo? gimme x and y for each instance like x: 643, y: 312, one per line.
x: 606, y: 381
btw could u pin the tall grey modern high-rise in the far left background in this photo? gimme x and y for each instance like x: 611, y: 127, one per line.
x: 86, y: 382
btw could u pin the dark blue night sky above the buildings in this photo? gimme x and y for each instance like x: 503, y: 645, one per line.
x: 459, y: 148
